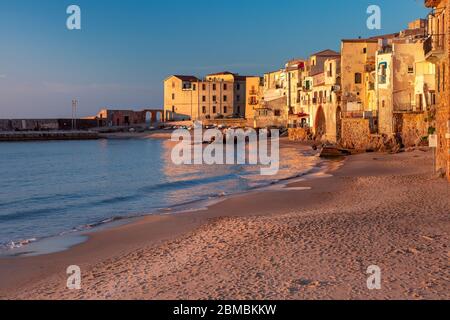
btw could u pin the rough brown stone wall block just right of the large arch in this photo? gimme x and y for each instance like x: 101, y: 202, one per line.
x: 355, y: 133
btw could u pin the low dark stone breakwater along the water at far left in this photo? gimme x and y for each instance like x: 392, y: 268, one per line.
x: 47, y: 135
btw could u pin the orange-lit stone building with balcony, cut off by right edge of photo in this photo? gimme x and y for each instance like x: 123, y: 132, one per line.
x: 437, y: 51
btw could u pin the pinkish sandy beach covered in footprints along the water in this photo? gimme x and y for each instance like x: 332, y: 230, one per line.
x: 313, y: 239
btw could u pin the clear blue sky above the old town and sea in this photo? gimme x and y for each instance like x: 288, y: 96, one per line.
x: 126, y: 48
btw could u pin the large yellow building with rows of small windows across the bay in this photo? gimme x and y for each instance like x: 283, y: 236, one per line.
x: 217, y: 96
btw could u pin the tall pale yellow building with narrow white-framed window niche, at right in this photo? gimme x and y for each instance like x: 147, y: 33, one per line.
x: 404, y: 84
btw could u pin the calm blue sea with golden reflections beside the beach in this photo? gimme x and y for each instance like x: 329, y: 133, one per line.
x: 58, y: 188
